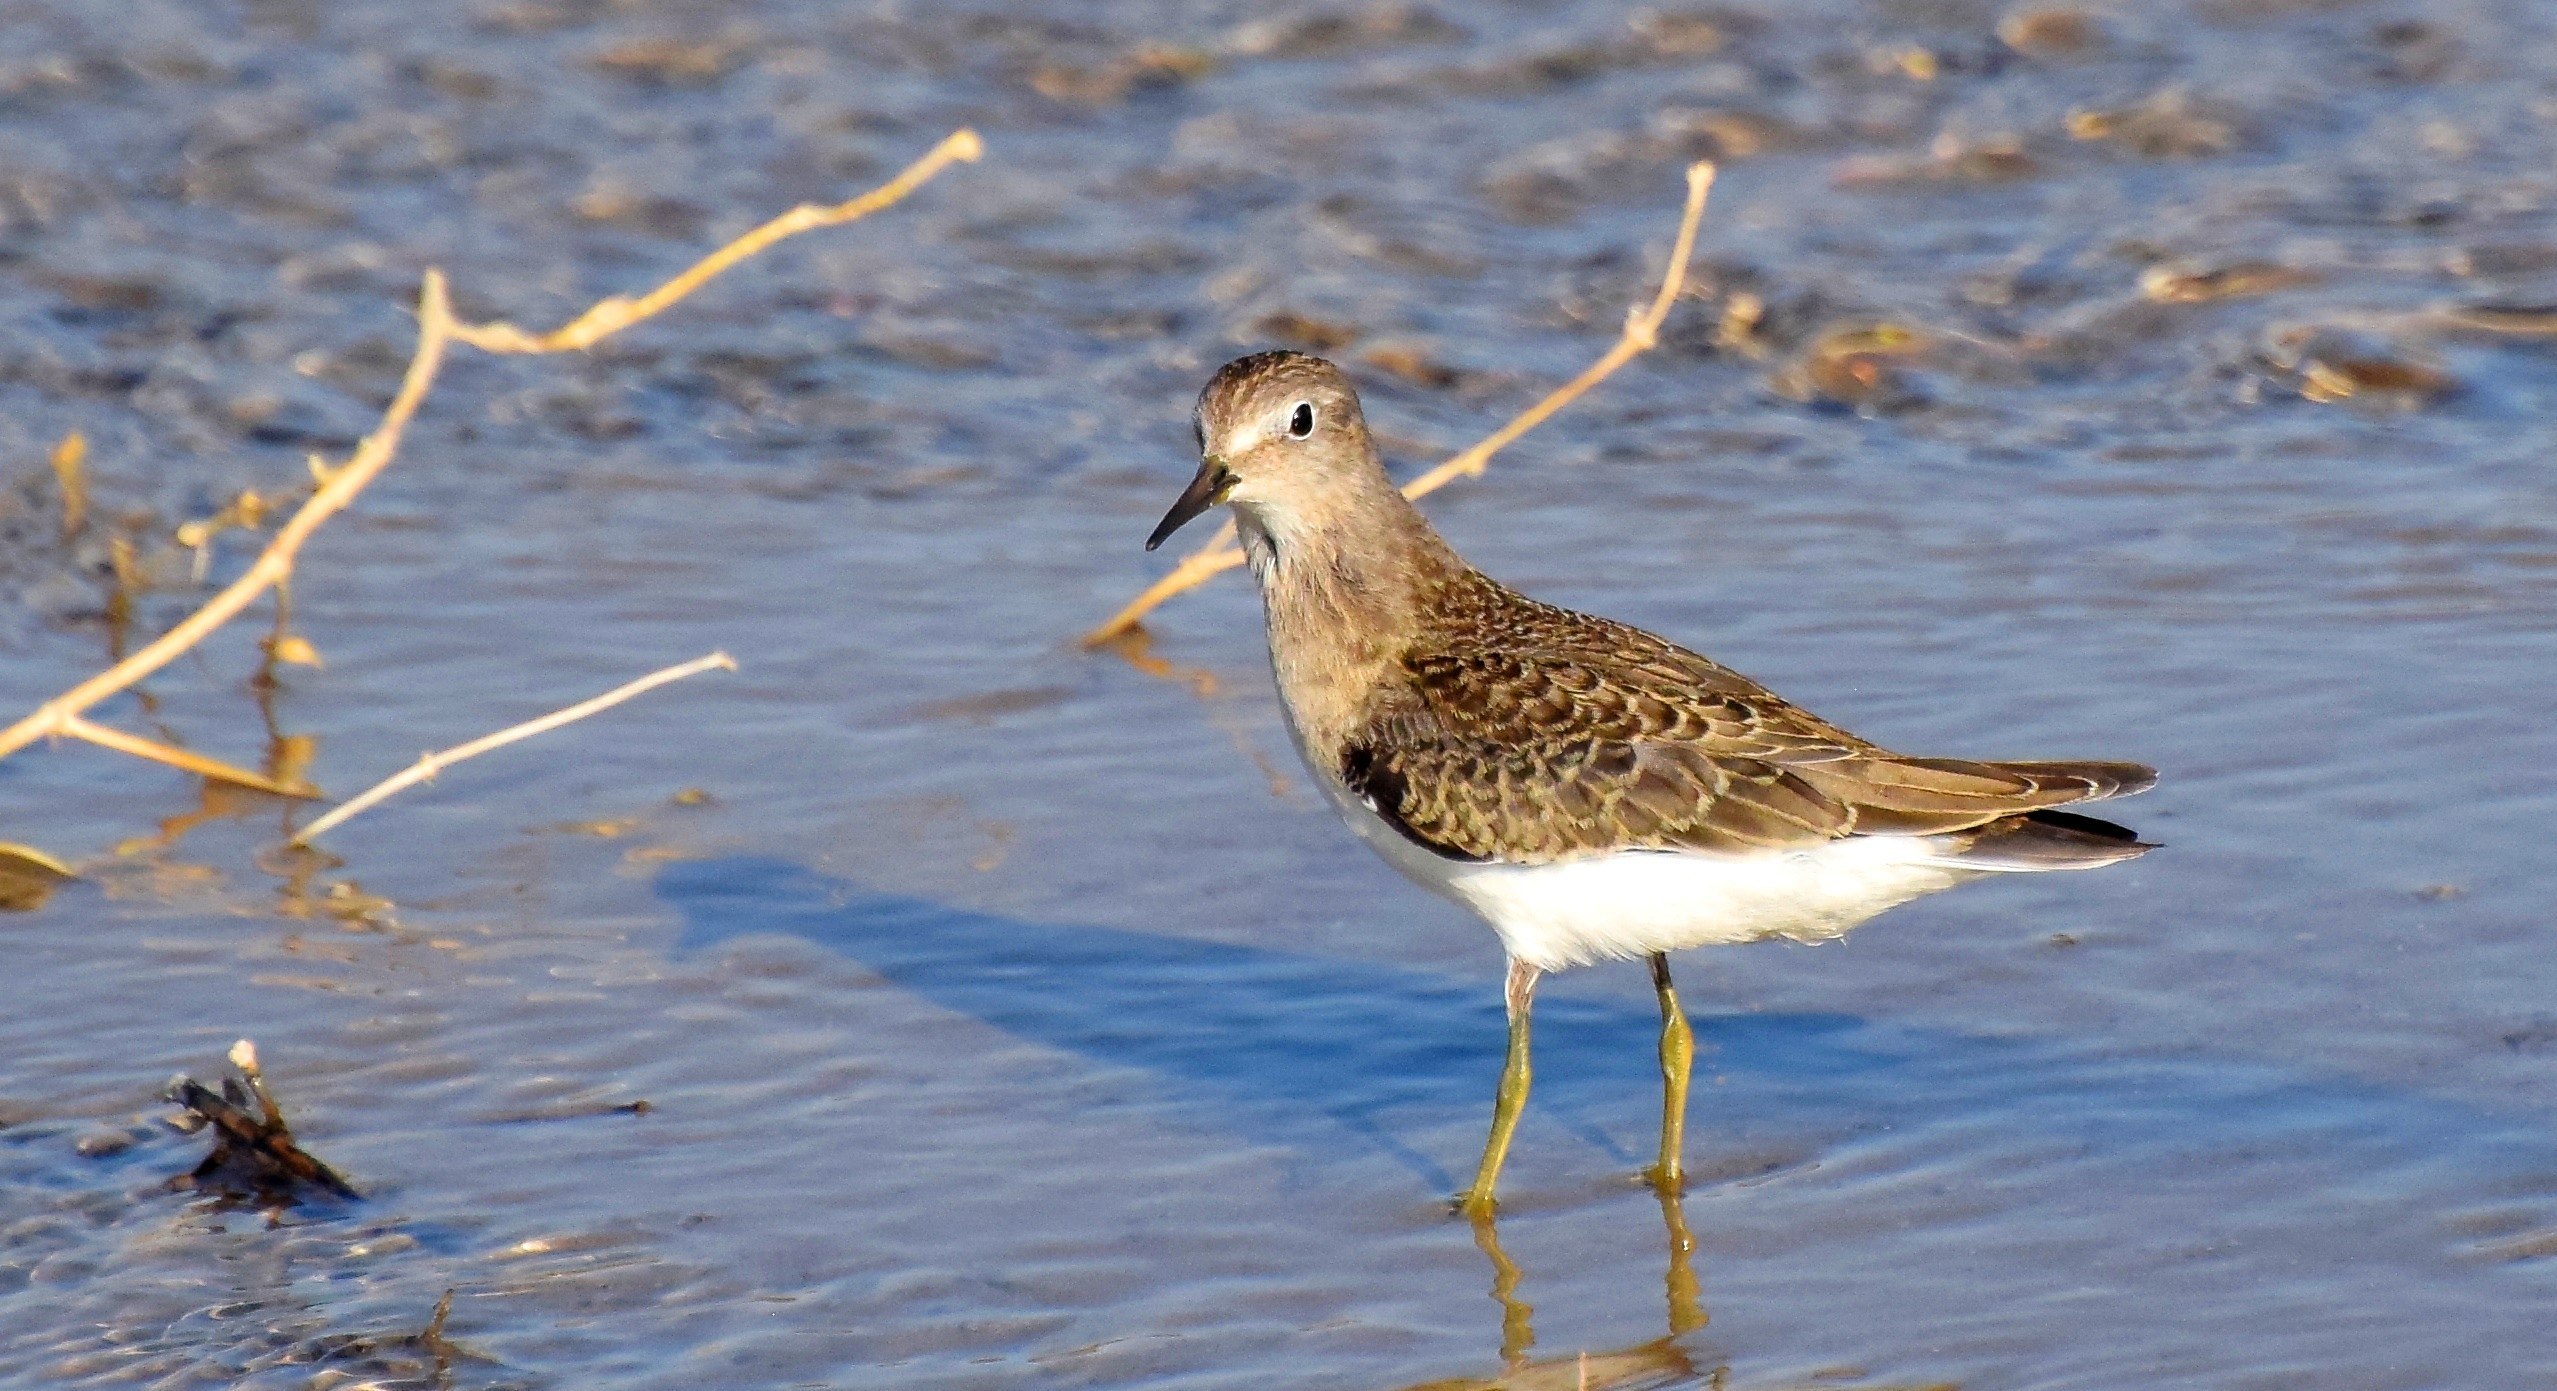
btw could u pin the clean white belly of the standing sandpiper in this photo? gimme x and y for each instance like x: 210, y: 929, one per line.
x: 1635, y: 904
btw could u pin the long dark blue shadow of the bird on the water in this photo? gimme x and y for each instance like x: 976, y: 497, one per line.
x: 1305, y: 1050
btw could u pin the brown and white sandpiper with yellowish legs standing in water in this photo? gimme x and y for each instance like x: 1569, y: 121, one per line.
x: 1587, y: 789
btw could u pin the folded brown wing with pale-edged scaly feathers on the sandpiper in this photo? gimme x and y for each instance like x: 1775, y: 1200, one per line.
x: 1535, y: 756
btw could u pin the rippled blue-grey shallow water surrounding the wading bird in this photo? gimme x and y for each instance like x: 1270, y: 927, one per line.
x: 1016, y: 1016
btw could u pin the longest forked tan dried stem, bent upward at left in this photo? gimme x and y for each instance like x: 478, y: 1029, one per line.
x: 339, y: 487
